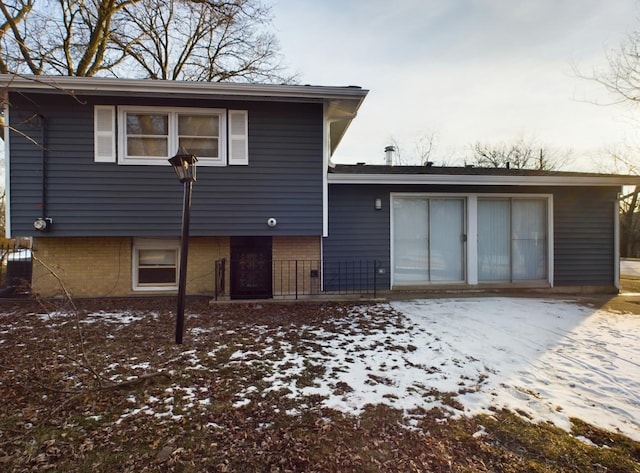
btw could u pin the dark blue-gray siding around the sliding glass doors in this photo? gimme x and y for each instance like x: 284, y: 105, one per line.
x: 583, y: 227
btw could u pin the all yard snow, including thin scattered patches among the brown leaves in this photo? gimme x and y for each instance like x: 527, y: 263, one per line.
x: 547, y: 359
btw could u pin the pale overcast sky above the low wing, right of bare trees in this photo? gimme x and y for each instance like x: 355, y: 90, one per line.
x: 468, y: 71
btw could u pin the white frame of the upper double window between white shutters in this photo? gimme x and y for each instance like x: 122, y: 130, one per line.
x: 172, y: 145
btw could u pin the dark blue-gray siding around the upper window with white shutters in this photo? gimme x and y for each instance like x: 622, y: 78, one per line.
x: 283, y: 179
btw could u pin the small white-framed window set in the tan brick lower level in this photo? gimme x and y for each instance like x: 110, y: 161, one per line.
x: 155, y: 264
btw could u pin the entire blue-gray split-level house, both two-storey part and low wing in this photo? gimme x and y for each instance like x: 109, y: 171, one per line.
x: 88, y: 180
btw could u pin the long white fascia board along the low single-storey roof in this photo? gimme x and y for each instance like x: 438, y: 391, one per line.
x: 485, y: 180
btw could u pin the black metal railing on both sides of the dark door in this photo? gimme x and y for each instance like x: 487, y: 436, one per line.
x: 293, y: 279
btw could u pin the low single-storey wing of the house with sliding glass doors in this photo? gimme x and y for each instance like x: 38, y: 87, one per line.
x: 478, y: 228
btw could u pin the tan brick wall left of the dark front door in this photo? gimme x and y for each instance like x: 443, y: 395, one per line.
x: 102, y: 267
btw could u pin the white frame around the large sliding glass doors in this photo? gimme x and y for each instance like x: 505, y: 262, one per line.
x: 471, y: 226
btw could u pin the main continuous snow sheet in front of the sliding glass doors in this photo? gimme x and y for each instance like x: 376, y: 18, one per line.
x: 547, y: 359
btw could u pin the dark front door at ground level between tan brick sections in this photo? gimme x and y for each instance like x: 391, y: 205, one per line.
x: 251, y: 268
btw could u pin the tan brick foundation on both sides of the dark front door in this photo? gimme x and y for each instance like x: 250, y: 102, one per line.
x: 102, y: 267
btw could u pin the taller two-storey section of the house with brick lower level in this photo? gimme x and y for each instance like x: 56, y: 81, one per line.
x: 88, y: 179
